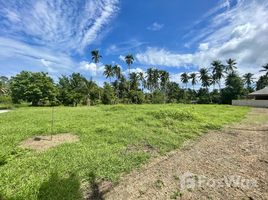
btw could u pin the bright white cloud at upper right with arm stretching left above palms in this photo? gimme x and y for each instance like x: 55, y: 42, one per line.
x: 239, y: 33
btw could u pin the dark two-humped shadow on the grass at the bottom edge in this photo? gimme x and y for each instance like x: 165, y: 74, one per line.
x: 58, y: 188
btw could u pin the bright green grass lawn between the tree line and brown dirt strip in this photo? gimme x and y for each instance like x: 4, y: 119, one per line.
x: 113, y: 141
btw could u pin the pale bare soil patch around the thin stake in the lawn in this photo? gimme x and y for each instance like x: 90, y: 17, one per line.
x: 43, y: 143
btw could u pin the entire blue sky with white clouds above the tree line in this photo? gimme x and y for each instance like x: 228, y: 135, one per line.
x: 175, y: 35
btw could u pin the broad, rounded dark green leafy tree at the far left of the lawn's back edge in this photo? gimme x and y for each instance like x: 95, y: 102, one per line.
x: 37, y: 88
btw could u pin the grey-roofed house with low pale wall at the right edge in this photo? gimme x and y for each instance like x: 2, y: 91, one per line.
x: 256, y: 99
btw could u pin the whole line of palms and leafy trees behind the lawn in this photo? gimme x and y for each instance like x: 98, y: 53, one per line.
x: 152, y: 86
